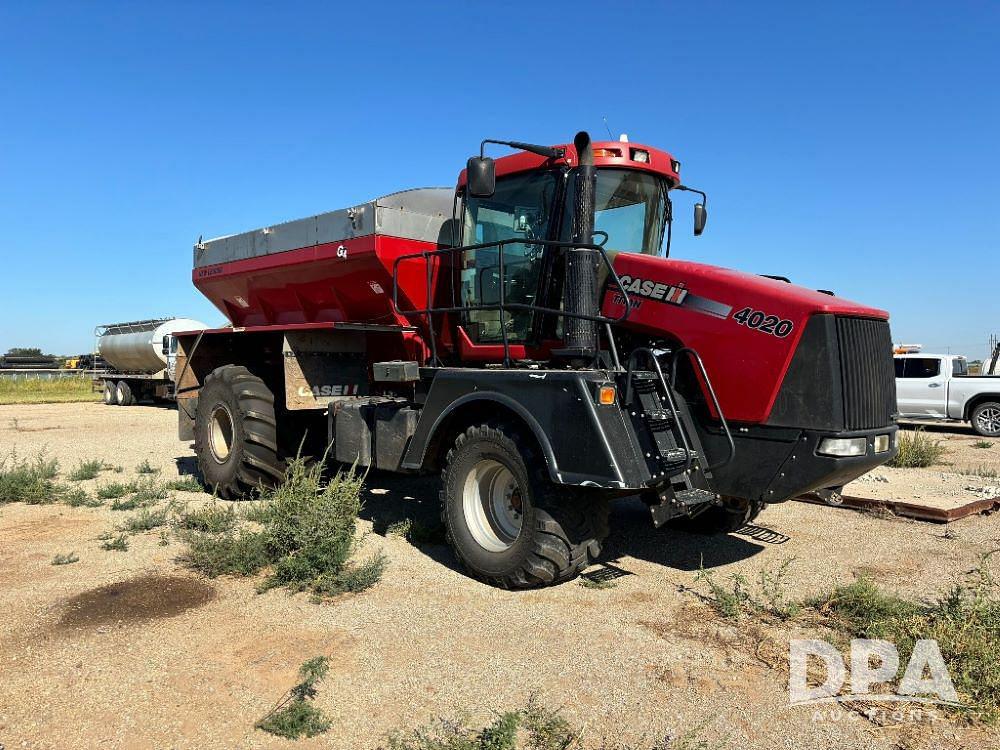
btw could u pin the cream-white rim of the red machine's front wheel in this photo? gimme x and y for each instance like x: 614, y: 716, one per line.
x: 492, y: 502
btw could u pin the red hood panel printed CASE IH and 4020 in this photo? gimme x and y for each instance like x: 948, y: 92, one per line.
x: 745, y: 327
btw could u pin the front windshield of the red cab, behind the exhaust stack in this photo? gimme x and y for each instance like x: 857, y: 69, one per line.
x: 631, y: 207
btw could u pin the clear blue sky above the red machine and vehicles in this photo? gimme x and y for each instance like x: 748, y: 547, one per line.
x: 849, y: 146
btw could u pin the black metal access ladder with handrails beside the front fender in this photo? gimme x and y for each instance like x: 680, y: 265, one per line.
x: 680, y: 473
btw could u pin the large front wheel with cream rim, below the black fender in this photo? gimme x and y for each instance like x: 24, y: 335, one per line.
x: 507, y: 523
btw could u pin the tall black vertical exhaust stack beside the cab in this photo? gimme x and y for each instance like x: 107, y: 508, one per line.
x: 581, y: 263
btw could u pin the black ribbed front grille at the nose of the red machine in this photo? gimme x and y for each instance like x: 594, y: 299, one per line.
x: 867, y: 372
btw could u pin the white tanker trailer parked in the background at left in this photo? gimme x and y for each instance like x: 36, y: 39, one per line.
x: 141, y: 357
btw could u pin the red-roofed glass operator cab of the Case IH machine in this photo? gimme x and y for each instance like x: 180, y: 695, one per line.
x: 529, y: 196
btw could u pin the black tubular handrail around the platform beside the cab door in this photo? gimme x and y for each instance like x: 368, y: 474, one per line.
x: 502, y: 305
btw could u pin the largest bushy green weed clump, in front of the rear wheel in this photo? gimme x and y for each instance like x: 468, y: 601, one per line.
x: 306, y: 538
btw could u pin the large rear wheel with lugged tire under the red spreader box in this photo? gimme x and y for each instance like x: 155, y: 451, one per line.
x: 236, y: 433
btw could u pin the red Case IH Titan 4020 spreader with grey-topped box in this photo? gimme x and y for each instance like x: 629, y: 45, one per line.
x: 524, y: 335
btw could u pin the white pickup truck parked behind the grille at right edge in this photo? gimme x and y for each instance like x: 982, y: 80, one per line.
x: 938, y: 387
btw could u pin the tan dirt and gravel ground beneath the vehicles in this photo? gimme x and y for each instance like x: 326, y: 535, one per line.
x: 128, y: 649
